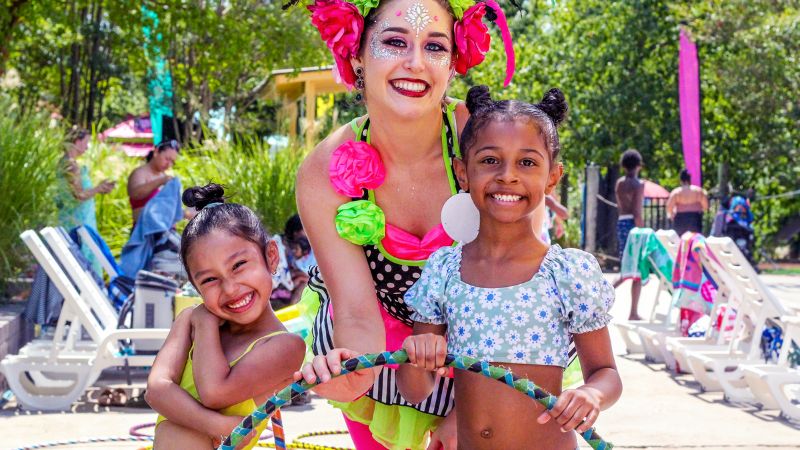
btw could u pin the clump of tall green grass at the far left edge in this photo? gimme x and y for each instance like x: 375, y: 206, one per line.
x: 29, y: 153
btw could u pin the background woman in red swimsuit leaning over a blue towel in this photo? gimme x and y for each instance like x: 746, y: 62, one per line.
x: 145, y: 181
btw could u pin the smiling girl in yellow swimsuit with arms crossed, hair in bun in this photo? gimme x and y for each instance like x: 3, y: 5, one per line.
x: 229, y: 354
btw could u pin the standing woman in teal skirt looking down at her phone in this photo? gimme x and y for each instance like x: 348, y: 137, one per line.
x: 75, y: 198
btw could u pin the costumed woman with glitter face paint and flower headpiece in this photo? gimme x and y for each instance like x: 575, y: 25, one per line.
x: 372, y: 213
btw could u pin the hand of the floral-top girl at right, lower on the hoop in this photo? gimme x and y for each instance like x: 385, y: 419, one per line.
x: 573, y: 407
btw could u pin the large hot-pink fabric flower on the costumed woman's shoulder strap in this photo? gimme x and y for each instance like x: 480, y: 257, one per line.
x: 355, y: 166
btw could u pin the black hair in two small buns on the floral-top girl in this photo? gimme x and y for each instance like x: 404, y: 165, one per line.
x: 545, y: 115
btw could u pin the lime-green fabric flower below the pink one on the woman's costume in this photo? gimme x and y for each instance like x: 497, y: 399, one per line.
x: 361, y: 222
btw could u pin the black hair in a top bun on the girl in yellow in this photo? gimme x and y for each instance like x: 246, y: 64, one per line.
x: 214, y: 214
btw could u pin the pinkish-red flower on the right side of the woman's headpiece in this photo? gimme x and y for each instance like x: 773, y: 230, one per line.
x: 472, y: 38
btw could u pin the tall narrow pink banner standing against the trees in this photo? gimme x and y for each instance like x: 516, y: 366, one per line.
x: 689, y: 98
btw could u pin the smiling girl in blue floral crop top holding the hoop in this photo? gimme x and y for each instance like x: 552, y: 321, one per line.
x: 507, y: 297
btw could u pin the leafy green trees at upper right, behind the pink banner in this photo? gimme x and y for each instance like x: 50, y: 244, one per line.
x: 617, y: 65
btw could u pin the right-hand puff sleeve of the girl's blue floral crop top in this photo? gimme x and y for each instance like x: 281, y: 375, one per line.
x: 586, y: 296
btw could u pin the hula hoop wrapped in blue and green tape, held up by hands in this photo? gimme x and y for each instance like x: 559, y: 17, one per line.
x: 368, y: 361
